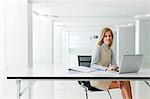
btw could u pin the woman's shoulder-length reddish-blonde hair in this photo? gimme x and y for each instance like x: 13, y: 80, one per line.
x: 102, y: 34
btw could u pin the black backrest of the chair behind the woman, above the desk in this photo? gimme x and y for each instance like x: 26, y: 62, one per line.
x: 84, y: 60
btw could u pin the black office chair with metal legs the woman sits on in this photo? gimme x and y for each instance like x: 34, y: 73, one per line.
x: 86, y: 61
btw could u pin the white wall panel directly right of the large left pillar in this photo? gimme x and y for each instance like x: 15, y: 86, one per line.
x: 42, y: 40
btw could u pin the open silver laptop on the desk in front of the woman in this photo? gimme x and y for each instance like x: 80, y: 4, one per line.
x: 130, y: 63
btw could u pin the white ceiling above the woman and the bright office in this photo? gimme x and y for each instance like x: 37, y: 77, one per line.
x: 92, y: 12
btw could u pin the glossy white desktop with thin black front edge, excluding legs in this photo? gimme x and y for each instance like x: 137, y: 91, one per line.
x: 46, y: 73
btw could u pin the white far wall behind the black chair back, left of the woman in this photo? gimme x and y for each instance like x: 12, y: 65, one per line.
x: 80, y: 44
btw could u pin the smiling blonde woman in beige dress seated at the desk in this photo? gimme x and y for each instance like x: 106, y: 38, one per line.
x: 103, y: 58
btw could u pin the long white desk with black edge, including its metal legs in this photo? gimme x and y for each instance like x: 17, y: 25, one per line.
x: 32, y: 75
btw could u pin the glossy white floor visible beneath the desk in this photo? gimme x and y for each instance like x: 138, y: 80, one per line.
x: 53, y: 90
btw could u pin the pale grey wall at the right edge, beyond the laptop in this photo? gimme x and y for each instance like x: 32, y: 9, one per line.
x: 142, y: 27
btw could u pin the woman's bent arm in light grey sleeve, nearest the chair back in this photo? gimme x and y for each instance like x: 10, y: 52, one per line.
x: 96, y: 58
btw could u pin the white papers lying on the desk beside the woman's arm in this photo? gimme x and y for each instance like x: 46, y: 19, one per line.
x: 82, y: 69
